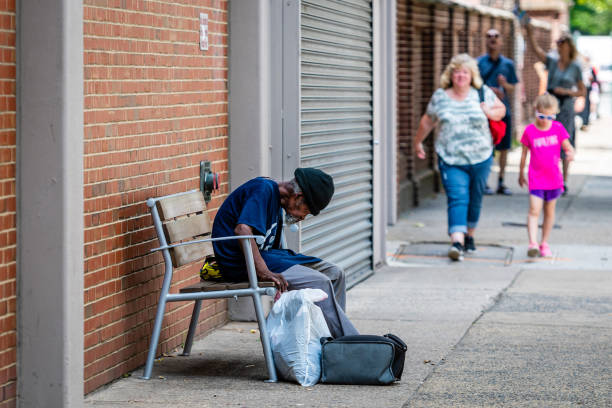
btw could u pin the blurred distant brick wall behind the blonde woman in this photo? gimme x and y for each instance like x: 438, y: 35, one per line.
x: 428, y: 36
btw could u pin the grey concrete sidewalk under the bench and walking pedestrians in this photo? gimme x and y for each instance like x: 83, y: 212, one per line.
x: 479, y: 333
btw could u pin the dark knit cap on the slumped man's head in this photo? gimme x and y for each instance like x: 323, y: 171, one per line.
x: 317, y: 187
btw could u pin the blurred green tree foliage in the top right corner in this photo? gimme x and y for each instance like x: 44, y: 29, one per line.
x: 591, y: 17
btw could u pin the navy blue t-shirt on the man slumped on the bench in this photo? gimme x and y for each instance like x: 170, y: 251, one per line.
x: 256, y: 203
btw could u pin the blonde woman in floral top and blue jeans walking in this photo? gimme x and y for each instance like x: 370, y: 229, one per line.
x: 464, y: 146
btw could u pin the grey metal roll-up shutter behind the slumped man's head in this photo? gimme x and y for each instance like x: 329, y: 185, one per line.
x: 336, y: 128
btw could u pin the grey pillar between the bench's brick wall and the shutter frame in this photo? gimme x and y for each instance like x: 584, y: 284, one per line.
x: 250, y: 95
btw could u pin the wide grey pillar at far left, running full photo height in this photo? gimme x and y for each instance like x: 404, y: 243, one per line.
x: 50, y: 203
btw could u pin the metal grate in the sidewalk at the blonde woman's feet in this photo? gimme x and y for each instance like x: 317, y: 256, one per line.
x: 435, y: 253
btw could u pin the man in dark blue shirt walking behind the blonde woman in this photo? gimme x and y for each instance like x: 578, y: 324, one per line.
x: 498, y: 73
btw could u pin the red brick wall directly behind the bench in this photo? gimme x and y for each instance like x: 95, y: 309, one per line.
x: 155, y: 106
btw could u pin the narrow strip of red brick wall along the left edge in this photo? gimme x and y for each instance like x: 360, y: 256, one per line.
x: 8, y: 233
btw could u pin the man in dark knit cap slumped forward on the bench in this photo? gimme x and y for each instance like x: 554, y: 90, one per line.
x: 254, y: 208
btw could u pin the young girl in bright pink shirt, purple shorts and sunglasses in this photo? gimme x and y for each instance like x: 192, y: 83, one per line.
x: 543, y: 140
